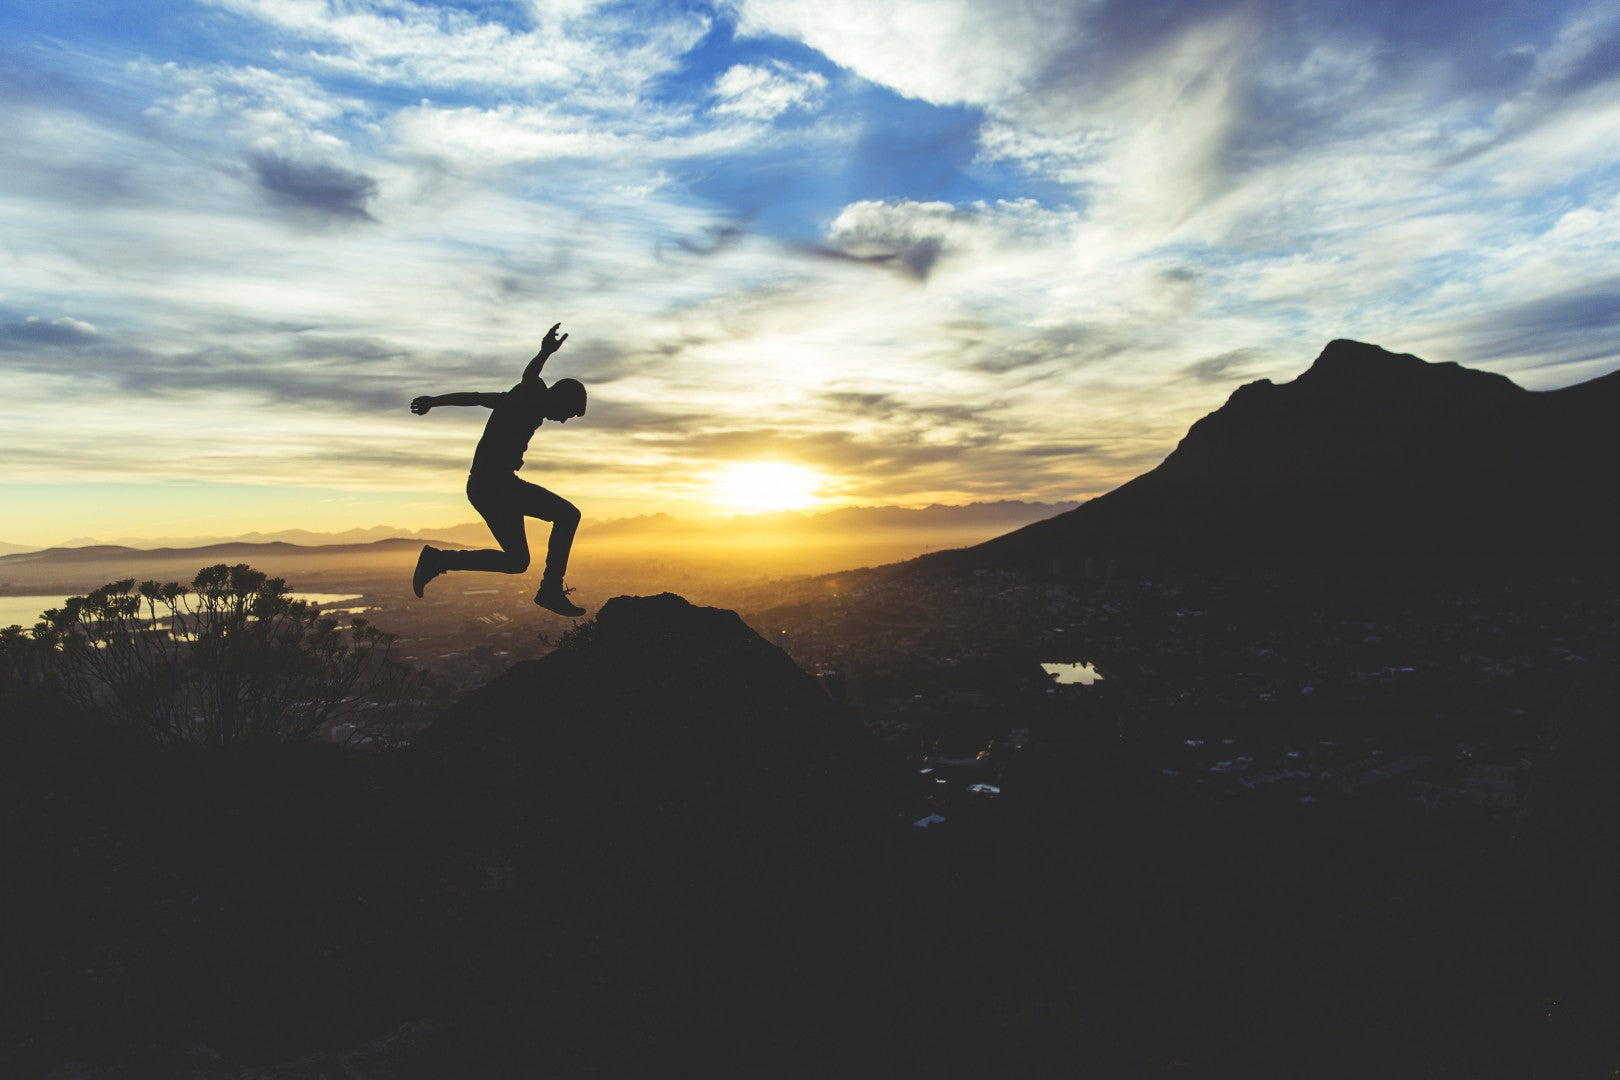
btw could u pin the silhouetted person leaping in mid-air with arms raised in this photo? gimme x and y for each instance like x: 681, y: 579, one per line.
x: 500, y: 496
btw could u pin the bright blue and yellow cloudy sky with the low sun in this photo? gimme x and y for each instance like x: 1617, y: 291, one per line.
x: 869, y: 253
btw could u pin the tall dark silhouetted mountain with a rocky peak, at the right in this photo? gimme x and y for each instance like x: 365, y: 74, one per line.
x: 1370, y: 459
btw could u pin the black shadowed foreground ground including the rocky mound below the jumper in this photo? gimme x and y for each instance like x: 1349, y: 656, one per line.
x: 663, y: 851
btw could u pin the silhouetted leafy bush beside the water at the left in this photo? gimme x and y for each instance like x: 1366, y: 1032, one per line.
x: 231, y: 660
